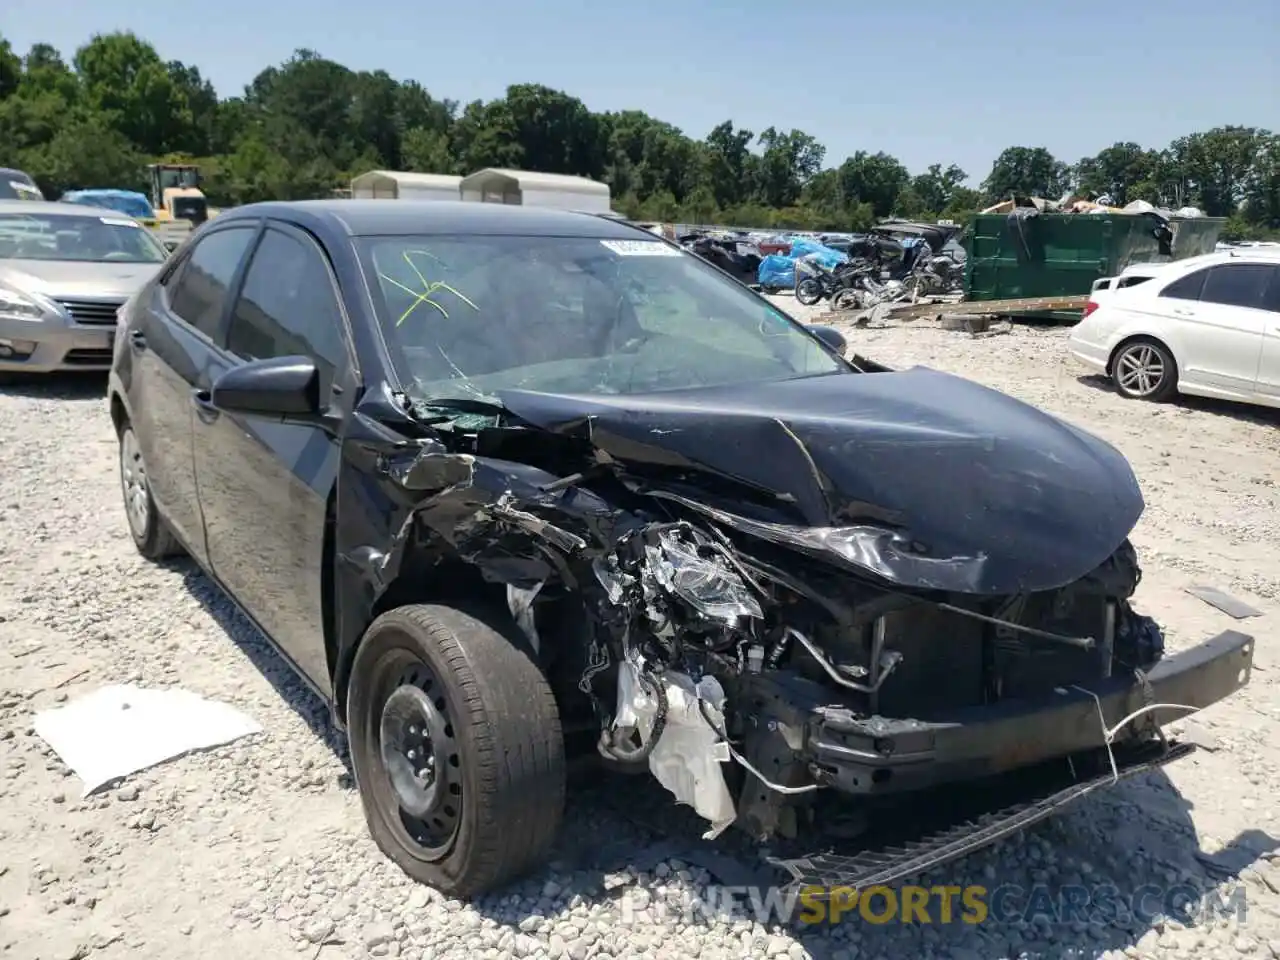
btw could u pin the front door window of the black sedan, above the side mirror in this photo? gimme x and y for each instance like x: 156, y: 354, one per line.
x: 287, y: 307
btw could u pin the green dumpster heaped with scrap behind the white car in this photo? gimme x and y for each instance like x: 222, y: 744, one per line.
x: 1062, y: 255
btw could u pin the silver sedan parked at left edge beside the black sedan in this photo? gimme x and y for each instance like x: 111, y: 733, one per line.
x: 66, y: 271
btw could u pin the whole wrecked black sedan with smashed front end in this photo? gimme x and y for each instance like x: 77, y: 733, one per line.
x: 508, y: 484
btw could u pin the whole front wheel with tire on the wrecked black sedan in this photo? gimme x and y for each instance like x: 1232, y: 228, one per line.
x: 458, y: 749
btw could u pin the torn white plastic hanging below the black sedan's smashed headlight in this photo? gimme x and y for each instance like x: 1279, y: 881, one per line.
x: 689, y: 752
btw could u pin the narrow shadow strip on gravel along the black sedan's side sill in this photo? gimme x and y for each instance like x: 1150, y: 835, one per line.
x: 268, y: 662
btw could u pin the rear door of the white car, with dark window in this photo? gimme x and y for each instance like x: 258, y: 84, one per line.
x: 1219, y: 322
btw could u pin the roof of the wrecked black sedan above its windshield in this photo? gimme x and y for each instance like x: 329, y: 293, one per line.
x: 392, y: 218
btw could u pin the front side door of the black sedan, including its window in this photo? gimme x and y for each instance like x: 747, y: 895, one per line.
x: 264, y: 484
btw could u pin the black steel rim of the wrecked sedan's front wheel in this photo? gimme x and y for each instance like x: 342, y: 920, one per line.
x: 422, y: 760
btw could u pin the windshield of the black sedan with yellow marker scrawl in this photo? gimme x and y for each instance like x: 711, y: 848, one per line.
x: 476, y: 316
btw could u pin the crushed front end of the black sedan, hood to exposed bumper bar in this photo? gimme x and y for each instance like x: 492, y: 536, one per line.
x: 813, y: 605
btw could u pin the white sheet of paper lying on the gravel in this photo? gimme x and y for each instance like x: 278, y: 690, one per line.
x: 121, y: 730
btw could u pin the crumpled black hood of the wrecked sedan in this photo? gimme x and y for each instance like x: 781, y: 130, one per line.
x: 917, y: 477
